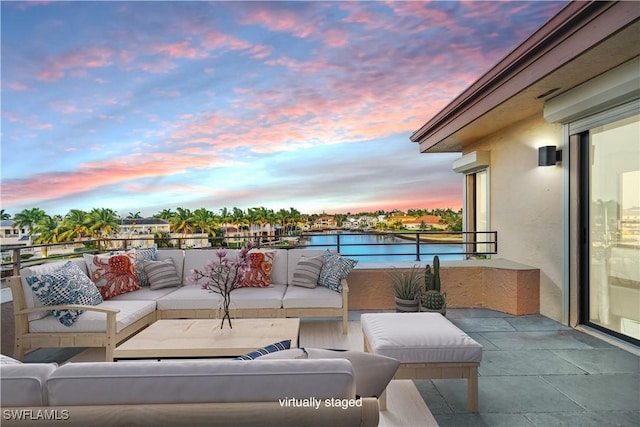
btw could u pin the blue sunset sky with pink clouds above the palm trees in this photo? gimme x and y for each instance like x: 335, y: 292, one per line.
x: 145, y: 106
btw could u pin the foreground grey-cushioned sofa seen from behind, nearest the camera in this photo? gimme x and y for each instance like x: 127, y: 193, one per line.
x: 186, y: 393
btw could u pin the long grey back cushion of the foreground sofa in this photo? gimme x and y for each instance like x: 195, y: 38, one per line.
x: 199, y: 381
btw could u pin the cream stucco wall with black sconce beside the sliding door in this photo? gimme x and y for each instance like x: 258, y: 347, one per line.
x: 526, y: 203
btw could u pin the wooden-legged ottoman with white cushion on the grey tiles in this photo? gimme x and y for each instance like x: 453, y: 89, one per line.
x: 427, y: 345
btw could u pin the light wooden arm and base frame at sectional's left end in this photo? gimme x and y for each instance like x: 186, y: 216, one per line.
x: 25, y: 340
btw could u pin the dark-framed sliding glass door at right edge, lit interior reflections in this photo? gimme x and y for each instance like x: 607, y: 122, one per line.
x: 610, y: 223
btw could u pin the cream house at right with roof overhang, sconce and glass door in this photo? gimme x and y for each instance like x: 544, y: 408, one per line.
x: 550, y: 149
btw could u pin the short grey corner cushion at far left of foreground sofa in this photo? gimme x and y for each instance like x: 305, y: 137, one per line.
x: 24, y: 384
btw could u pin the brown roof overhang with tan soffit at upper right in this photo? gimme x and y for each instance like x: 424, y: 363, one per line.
x: 584, y: 40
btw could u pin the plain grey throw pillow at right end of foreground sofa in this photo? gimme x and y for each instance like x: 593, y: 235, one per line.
x: 372, y: 371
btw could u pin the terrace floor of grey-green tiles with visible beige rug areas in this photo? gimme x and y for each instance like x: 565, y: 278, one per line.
x: 534, y: 372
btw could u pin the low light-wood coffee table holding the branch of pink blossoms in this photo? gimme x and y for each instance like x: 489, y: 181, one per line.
x: 192, y: 338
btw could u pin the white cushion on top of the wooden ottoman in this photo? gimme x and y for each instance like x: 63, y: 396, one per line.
x: 419, y: 338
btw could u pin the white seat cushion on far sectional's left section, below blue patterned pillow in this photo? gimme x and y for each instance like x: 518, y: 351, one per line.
x: 91, y: 321
